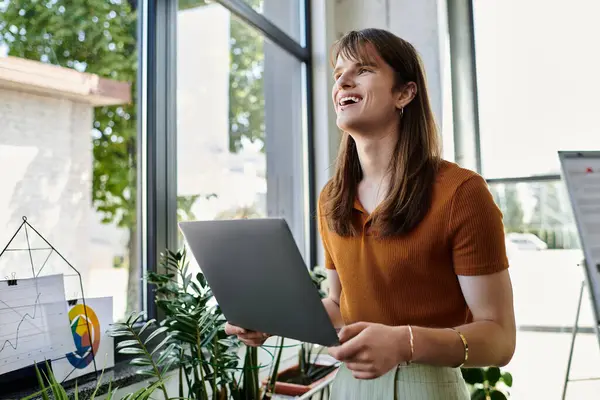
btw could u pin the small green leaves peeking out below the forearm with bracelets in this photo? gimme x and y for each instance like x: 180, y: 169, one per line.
x: 487, y: 383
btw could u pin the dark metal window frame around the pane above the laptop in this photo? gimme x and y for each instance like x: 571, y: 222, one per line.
x: 157, y: 126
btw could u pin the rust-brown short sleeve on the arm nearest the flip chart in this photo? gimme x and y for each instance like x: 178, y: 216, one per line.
x: 476, y: 230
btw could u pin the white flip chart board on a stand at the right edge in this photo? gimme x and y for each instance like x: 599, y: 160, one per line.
x: 581, y: 174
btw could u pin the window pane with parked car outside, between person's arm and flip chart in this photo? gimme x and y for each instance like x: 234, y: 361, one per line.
x: 544, y: 251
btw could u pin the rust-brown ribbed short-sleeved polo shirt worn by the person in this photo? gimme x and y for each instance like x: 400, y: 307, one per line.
x: 412, y: 278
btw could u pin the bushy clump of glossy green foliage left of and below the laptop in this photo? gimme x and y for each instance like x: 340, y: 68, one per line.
x: 192, y: 338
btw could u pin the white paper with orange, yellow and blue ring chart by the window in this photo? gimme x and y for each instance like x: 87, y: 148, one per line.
x: 89, y: 325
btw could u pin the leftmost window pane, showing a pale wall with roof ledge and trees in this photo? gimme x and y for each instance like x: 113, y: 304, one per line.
x: 68, y: 144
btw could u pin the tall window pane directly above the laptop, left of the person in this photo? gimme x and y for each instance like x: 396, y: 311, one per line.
x: 240, y: 132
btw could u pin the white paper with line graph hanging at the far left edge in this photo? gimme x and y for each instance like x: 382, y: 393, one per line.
x: 34, y: 322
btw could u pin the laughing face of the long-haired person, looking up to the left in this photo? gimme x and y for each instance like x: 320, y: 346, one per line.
x: 363, y: 94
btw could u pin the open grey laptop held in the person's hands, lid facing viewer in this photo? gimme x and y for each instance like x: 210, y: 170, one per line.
x: 259, y: 278
